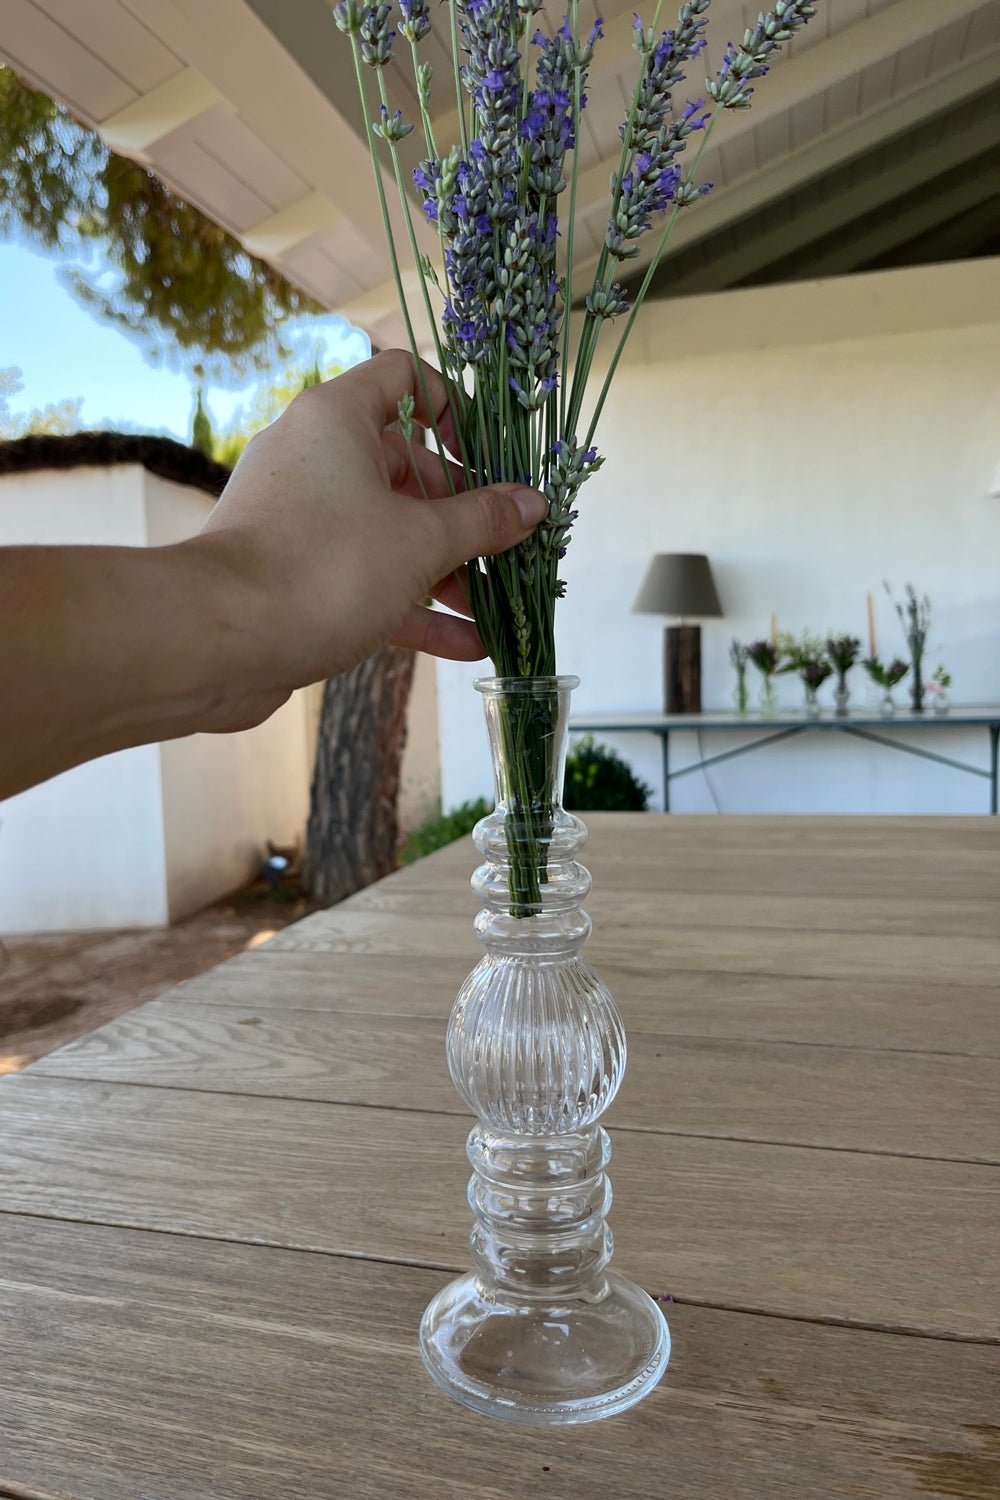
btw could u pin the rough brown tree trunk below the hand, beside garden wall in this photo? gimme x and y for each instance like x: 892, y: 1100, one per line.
x: 353, y: 826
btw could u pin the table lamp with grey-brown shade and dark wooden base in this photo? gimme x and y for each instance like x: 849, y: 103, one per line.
x: 681, y: 584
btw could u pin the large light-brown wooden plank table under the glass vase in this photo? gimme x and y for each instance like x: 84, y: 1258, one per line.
x: 224, y: 1213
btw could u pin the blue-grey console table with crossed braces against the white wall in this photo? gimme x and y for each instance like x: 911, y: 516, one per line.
x: 863, y: 725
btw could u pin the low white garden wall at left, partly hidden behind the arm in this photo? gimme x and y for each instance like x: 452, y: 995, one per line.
x: 151, y: 835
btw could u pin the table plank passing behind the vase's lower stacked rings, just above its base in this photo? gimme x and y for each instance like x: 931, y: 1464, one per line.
x: 777, y: 1229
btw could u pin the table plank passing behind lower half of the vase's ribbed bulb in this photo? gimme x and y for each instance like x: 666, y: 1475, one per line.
x: 915, y: 1105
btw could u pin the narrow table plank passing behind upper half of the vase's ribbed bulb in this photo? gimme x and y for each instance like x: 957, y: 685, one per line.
x: 926, y: 1016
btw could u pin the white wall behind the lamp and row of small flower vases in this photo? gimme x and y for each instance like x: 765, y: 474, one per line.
x: 812, y: 440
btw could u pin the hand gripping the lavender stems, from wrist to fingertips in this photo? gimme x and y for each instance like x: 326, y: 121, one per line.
x: 326, y: 529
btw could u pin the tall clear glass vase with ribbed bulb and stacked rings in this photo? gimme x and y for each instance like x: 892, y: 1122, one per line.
x: 542, y: 1331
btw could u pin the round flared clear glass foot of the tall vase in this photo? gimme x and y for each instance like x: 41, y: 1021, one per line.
x: 545, y: 1364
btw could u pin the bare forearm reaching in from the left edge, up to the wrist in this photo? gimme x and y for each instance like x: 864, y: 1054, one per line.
x: 112, y: 647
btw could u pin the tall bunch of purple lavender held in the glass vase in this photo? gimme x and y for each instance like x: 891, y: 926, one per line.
x: 500, y: 293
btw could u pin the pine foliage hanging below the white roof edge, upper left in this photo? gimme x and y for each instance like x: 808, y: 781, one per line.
x: 184, y: 284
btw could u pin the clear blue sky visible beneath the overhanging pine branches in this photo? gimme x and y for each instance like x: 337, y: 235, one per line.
x: 65, y: 352
